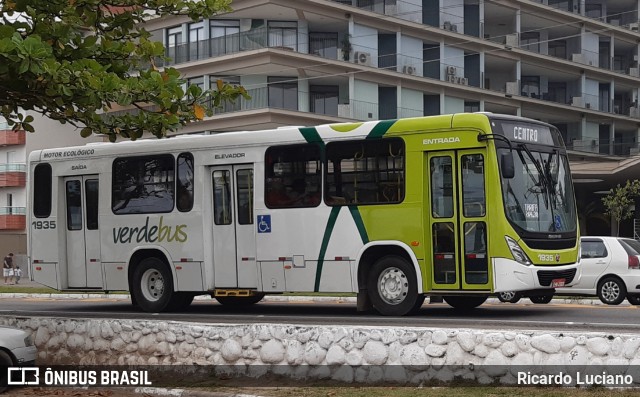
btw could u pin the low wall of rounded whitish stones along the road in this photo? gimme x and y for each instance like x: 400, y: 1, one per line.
x: 350, y: 354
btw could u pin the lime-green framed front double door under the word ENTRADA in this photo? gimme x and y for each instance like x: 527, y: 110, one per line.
x: 457, y: 220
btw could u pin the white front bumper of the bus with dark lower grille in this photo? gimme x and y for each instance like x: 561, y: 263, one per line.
x: 509, y: 275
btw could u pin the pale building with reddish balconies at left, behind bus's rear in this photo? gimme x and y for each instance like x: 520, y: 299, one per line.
x: 15, y: 147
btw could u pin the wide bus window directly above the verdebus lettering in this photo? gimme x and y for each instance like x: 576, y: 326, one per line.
x: 143, y: 185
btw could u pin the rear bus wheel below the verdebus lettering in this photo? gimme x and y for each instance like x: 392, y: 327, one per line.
x: 152, y: 286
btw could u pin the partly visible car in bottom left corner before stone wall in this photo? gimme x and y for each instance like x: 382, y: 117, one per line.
x: 16, y: 349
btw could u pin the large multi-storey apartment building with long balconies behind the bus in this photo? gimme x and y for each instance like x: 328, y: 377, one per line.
x: 572, y: 63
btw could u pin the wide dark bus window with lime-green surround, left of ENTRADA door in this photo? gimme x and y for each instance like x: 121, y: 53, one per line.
x: 365, y: 172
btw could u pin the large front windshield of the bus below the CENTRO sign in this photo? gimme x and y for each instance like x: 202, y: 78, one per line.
x: 540, y: 197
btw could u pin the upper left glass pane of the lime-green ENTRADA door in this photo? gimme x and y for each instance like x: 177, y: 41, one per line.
x: 441, y: 187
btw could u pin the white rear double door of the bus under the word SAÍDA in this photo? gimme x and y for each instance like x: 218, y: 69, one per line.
x: 84, y: 269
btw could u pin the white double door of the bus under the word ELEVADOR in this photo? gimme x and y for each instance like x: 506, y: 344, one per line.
x: 234, y: 241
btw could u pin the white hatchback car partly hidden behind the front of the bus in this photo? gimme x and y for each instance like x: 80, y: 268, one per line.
x: 610, y: 268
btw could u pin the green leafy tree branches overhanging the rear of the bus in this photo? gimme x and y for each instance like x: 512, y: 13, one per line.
x: 71, y: 60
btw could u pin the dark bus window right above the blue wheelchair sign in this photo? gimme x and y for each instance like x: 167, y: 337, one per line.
x: 293, y: 176
